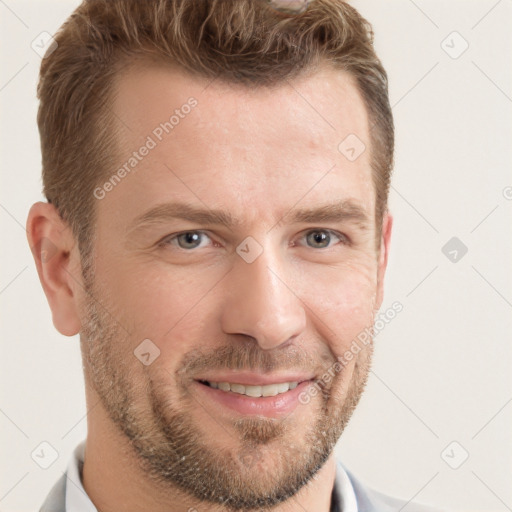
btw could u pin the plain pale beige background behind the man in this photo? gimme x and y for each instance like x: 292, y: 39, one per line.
x: 440, y: 387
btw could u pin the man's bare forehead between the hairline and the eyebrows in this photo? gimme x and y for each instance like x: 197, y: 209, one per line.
x: 228, y: 146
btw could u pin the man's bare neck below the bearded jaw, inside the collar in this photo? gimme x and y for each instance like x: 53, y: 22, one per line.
x: 113, y: 479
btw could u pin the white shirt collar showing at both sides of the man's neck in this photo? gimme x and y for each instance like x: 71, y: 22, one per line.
x: 343, y: 497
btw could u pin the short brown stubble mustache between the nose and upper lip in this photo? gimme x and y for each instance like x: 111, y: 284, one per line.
x: 251, y: 357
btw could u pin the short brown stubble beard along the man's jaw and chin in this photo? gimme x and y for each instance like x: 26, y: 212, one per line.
x: 175, y: 454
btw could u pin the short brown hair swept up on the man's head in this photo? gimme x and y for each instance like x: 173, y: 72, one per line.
x: 240, y: 41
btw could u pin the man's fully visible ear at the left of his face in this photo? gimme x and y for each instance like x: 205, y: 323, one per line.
x: 58, y: 264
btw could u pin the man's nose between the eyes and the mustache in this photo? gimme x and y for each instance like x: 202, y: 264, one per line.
x: 261, y: 304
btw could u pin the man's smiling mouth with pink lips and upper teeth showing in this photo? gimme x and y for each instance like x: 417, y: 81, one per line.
x: 253, y: 394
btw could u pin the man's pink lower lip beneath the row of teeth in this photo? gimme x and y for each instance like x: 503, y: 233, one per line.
x: 270, y: 406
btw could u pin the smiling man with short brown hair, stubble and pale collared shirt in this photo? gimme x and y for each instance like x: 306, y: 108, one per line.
x: 217, y: 232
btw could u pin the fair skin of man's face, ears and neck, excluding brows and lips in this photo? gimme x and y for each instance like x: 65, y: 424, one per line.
x: 256, y: 154
